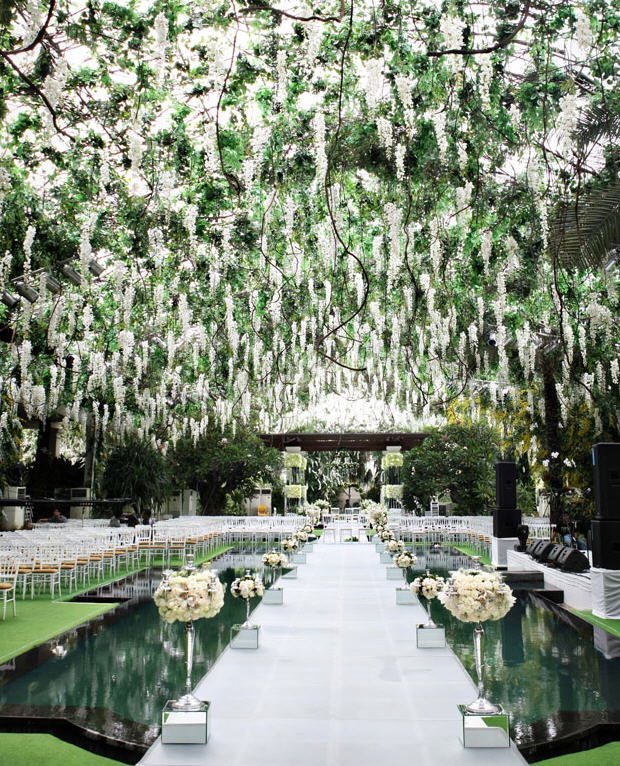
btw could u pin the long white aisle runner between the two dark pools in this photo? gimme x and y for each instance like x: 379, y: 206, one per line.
x: 337, y: 680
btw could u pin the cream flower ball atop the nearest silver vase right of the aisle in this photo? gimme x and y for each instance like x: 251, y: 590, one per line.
x: 473, y: 595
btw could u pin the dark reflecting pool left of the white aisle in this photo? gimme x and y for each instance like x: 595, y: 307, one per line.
x: 115, y: 675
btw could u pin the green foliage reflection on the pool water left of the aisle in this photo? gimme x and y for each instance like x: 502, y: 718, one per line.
x: 131, y: 667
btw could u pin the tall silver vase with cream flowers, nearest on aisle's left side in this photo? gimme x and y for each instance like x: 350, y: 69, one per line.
x: 186, y: 596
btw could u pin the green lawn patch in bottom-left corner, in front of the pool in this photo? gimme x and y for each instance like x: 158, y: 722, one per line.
x: 46, y: 750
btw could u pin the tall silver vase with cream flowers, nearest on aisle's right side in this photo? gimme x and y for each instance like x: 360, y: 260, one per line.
x: 474, y: 595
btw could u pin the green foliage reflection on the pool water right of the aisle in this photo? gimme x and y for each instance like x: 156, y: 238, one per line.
x: 539, y: 668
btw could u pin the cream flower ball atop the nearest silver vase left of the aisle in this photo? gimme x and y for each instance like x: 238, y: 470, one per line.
x: 187, y: 596
